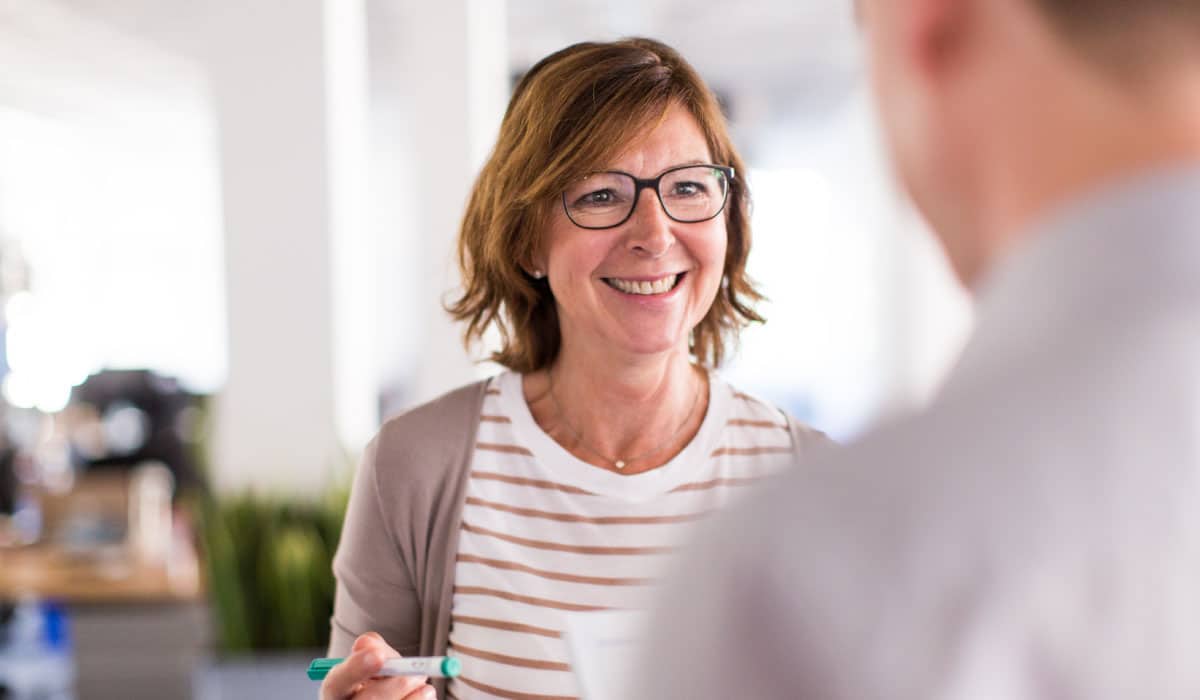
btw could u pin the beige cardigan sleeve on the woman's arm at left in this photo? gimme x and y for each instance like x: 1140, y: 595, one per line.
x: 375, y: 590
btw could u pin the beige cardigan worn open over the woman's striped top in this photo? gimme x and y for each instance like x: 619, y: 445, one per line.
x: 395, y: 563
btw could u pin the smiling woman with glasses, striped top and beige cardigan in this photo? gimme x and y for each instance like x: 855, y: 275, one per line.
x: 607, y: 240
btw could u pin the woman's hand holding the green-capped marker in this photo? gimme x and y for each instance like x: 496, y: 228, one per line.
x: 356, y: 678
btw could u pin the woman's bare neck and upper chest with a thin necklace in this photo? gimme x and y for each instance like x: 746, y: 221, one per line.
x: 620, y: 415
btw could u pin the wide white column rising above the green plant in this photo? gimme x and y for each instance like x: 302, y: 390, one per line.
x: 290, y: 94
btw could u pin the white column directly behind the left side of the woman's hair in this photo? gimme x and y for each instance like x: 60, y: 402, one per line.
x: 451, y: 92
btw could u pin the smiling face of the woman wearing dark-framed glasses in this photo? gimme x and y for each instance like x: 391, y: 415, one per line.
x: 599, y: 278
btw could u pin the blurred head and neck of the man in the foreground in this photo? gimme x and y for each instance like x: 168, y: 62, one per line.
x: 997, y: 111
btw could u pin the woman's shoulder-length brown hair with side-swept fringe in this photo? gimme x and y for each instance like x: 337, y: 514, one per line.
x: 569, y: 115
